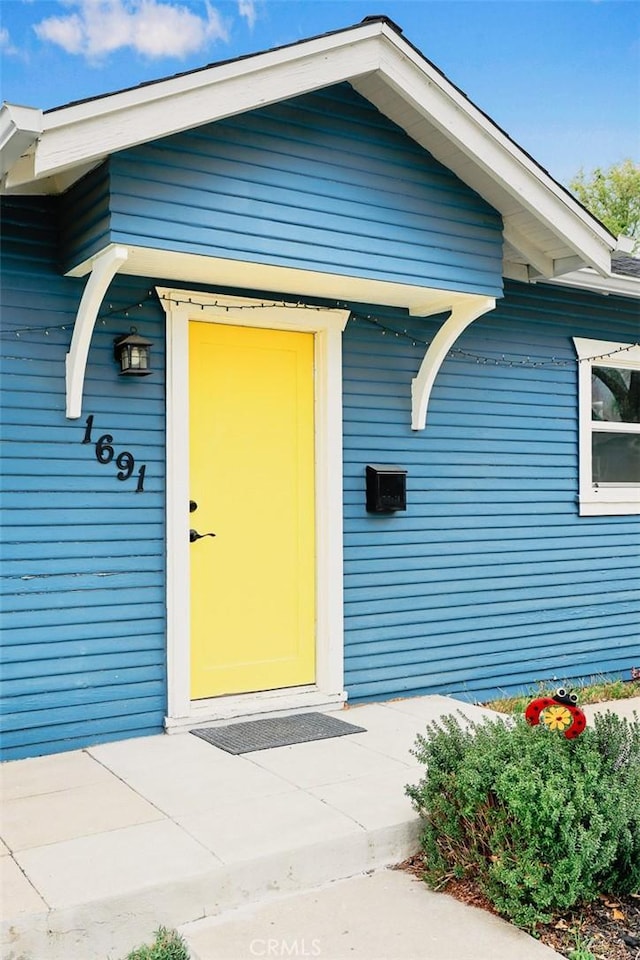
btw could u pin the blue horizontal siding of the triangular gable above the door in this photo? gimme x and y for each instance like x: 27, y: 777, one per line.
x: 323, y: 182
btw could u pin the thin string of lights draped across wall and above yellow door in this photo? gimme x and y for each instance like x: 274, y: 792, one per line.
x: 515, y: 360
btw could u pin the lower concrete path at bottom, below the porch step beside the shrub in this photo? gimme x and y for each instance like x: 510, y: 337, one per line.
x: 387, y: 915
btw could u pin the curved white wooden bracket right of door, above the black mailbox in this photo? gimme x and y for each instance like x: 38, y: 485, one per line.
x: 462, y: 314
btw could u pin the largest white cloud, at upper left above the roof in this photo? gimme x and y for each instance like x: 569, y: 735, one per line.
x: 153, y: 28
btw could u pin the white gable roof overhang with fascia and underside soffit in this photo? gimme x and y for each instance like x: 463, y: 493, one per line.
x: 547, y: 232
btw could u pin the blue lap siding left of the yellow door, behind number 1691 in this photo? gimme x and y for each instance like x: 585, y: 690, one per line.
x: 82, y: 587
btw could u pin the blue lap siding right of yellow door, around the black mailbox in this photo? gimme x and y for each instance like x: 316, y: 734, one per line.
x: 490, y: 580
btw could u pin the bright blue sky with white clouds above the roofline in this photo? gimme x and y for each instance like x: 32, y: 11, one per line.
x: 562, y: 77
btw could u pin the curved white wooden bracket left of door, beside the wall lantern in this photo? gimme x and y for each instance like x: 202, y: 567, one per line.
x: 105, y: 266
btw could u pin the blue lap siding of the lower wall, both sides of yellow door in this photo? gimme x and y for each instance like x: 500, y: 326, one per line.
x: 489, y: 581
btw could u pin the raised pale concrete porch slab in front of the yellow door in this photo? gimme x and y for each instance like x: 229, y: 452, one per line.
x: 101, y: 846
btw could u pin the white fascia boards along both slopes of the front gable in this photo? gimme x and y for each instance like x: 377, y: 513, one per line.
x: 87, y: 132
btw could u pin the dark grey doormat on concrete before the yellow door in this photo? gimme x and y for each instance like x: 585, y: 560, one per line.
x: 275, y: 732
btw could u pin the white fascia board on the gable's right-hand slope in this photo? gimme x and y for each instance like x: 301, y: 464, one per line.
x: 449, y: 111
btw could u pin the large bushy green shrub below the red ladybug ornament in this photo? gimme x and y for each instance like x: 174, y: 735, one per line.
x: 539, y: 822
